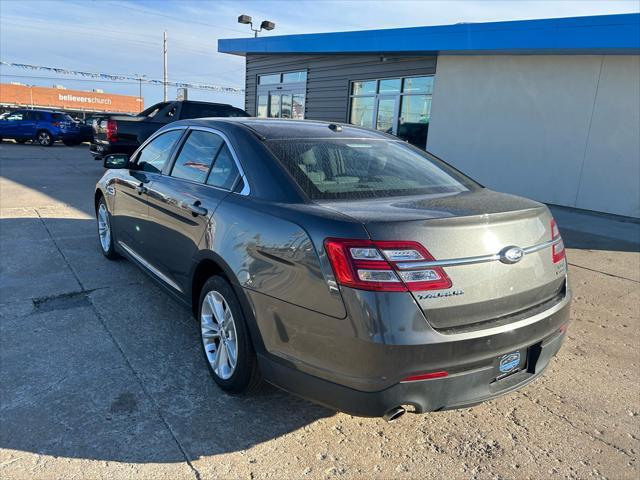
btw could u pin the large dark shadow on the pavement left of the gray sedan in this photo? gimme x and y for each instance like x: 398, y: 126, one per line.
x: 98, y: 362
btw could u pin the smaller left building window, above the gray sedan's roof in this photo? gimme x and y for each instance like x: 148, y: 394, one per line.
x: 282, y: 95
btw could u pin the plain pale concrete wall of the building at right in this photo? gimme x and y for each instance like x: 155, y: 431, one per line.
x: 562, y: 129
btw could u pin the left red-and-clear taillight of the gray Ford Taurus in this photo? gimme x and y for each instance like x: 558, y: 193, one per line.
x: 383, y: 265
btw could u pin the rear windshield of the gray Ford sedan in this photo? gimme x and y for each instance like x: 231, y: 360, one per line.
x: 365, y: 168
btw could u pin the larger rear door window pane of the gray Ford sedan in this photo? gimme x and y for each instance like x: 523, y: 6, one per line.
x: 196, y: 156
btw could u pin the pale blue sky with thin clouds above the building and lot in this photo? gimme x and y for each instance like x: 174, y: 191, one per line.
x: 125, y: 37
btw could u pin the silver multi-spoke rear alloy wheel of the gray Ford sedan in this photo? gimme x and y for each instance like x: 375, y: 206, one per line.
x: 219, y: 335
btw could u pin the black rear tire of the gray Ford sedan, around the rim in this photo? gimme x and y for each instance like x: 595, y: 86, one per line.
x: 246, y: 377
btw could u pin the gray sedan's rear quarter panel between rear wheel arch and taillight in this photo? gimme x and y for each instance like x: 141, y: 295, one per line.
x: 271, y: 254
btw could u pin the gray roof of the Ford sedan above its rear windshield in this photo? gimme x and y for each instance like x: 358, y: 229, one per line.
x: 283, y: 129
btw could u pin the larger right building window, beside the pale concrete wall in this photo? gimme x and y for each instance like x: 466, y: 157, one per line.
x: 400, y: 106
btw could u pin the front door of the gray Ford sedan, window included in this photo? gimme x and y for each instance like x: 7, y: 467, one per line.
x: 131, y: 213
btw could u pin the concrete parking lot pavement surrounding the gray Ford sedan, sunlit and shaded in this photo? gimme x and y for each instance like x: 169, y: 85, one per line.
x: 102, y: 374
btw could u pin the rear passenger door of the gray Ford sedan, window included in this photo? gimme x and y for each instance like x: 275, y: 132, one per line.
x: 183, y: 200
